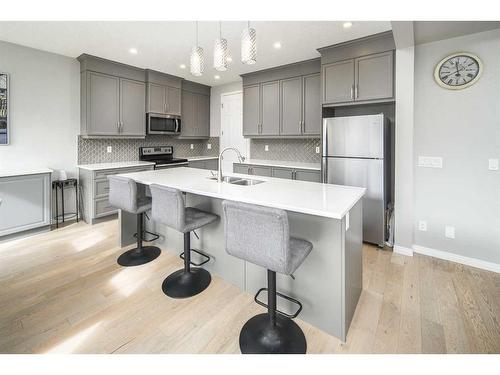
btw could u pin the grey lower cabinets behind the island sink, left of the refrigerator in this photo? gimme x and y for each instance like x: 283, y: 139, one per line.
x: 278, y: 172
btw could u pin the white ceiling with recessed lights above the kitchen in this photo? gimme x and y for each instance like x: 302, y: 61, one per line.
x: 163, y: 46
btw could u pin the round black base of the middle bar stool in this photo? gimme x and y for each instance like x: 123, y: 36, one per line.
x: 184, y: 284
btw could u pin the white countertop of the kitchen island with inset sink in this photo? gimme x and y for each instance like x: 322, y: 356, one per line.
x: 332, y: 201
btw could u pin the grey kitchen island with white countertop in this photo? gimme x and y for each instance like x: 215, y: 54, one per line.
x: 328, y: 283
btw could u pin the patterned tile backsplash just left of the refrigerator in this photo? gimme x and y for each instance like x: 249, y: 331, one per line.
x: 303, y: 150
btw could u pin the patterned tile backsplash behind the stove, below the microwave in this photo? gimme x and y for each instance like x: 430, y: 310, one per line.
x: 92, y: 151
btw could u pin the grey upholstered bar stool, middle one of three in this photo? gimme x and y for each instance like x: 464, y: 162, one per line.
x: 168, y: 209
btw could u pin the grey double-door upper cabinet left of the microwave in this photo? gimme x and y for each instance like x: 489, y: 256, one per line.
x: 113, y: 98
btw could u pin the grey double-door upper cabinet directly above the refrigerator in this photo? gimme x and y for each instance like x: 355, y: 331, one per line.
x: 359, y: 71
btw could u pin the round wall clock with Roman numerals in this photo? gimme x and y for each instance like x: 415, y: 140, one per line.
x: 458, y: 71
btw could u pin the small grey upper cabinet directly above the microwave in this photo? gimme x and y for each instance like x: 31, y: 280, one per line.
x: 163, y: 93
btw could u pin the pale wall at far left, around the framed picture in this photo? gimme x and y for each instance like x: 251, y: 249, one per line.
x: 44, y: 109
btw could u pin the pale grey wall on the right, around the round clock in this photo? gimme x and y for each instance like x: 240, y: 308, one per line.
x: 462, y: 127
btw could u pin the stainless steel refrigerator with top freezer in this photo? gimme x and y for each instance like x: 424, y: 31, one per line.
x: 356, y: 152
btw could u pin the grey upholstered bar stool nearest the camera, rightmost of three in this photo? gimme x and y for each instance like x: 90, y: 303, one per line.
x: 261, y: 235
